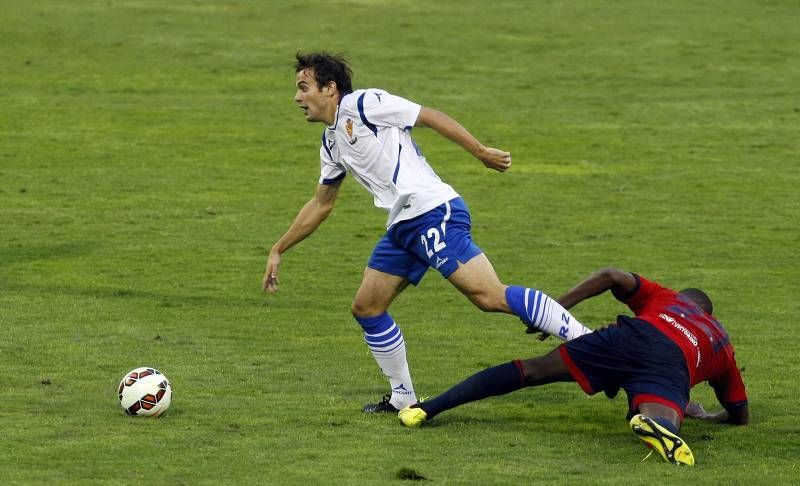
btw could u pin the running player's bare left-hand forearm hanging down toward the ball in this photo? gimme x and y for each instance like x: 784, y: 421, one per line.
x: 306, y: 222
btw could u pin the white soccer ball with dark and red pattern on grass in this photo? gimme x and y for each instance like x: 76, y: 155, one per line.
x: 145, y: 392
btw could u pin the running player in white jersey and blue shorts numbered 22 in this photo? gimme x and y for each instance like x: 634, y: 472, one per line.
x: 367, y: 134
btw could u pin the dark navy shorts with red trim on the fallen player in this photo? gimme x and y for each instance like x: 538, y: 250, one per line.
x: 635, y: 356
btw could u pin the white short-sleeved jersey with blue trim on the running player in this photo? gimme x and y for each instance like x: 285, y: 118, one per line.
x: 371, y: 139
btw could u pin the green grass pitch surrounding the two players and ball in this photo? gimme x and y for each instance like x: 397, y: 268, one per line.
x: 150, y: 153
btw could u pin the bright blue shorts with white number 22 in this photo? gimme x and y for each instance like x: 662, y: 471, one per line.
x: 439, y: 238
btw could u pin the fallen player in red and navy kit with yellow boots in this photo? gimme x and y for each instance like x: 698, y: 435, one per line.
x: 673, y: 343
